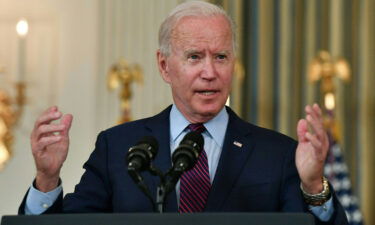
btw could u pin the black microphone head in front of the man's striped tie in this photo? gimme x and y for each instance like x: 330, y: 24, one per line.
x: 186, y: 154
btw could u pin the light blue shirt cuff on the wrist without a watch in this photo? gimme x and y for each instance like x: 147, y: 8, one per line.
x: 38, y: 202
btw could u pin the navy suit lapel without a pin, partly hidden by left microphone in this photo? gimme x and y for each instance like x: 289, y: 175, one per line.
x: 159, y: 127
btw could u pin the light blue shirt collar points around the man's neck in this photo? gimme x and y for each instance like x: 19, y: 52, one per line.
x: 216, y: 127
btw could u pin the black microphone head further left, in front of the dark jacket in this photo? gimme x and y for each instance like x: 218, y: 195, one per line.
x: 139, y: 156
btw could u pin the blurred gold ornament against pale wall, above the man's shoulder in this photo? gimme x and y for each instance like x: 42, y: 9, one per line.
x: 124, y: 74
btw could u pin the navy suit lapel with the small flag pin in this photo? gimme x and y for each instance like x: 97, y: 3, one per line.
x: 236, y: 151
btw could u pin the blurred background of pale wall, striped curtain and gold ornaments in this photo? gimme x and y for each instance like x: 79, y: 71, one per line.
x: 96, y: 59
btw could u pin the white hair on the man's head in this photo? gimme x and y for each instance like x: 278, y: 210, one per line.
x: 191, y: 8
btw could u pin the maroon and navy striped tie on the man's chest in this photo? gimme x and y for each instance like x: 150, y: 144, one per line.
x: 195, y: 183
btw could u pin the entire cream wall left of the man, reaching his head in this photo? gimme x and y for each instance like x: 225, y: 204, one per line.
x: 70, y: 47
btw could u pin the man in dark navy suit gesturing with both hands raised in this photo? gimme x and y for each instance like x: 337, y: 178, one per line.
x: 243, y: 168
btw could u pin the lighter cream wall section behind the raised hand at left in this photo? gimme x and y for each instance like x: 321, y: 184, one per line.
x: 61, y: 51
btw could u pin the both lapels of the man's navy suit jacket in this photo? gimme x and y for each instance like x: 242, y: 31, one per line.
x: 236, y: 151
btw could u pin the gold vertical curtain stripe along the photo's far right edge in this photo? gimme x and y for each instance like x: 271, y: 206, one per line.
x: 366, y: 109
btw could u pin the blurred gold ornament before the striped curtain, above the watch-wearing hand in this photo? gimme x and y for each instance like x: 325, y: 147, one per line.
x: 324, y: 68
